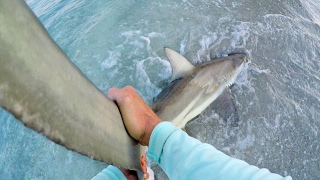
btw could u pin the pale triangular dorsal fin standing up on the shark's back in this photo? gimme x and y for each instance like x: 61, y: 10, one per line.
x: 180, y: 65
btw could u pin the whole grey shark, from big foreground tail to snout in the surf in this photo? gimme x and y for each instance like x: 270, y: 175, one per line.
x: 41, y: 87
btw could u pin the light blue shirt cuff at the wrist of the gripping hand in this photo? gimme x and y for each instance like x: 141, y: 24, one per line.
x: 158, y: 138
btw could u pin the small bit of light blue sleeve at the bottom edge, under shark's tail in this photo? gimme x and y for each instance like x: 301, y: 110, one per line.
x: 110, y: 173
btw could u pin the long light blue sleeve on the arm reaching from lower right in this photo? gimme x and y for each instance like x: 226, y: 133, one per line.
x: 184, y: 157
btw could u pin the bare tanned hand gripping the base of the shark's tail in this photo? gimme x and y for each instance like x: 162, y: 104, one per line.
x: 138, y: 117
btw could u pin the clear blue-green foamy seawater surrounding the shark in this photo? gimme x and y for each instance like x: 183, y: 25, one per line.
x: 119, y: 43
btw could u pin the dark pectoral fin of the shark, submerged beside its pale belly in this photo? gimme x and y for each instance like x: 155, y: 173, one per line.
x: 224, y: 105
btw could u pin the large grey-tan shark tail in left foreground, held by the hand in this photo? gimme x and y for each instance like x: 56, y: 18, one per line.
x: 42, y: 88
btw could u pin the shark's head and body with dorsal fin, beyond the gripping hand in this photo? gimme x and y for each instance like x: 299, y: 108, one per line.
x: 197, y: 86
